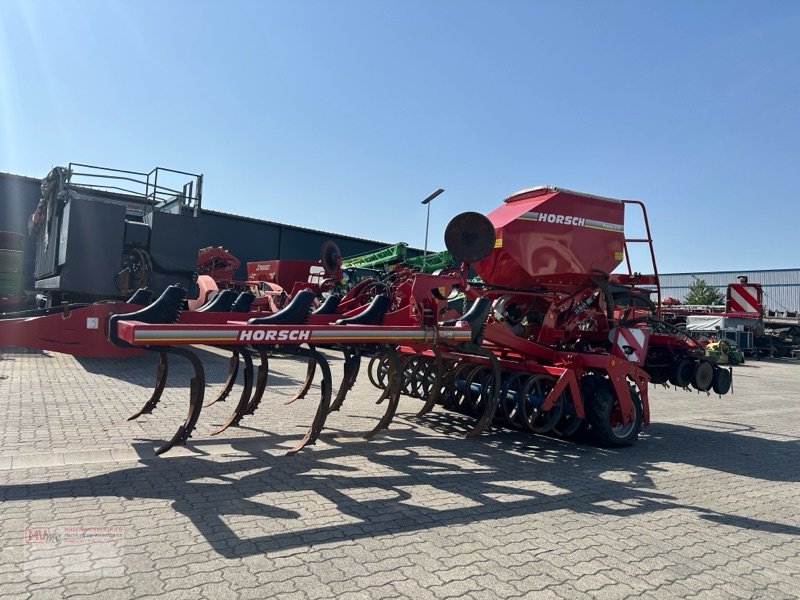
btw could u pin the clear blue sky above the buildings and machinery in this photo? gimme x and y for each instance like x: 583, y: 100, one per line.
x: 343, y: 115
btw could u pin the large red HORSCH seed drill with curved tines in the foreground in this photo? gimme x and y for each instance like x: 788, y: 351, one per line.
x: 553, y: 342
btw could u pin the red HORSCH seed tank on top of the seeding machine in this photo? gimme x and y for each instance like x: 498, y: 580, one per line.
x: 548, y: 235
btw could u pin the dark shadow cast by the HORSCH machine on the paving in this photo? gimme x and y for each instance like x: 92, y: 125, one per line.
x: 483, y: 475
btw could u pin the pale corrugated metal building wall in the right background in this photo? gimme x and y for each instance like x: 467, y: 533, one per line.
x: 781, y: 286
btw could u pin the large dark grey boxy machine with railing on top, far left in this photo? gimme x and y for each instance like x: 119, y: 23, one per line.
x: 103, y: 233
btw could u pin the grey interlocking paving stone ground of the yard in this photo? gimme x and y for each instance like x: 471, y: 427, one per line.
x: 705, y: 505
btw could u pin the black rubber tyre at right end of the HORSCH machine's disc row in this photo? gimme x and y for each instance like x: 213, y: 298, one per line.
x: 605, y: 417
